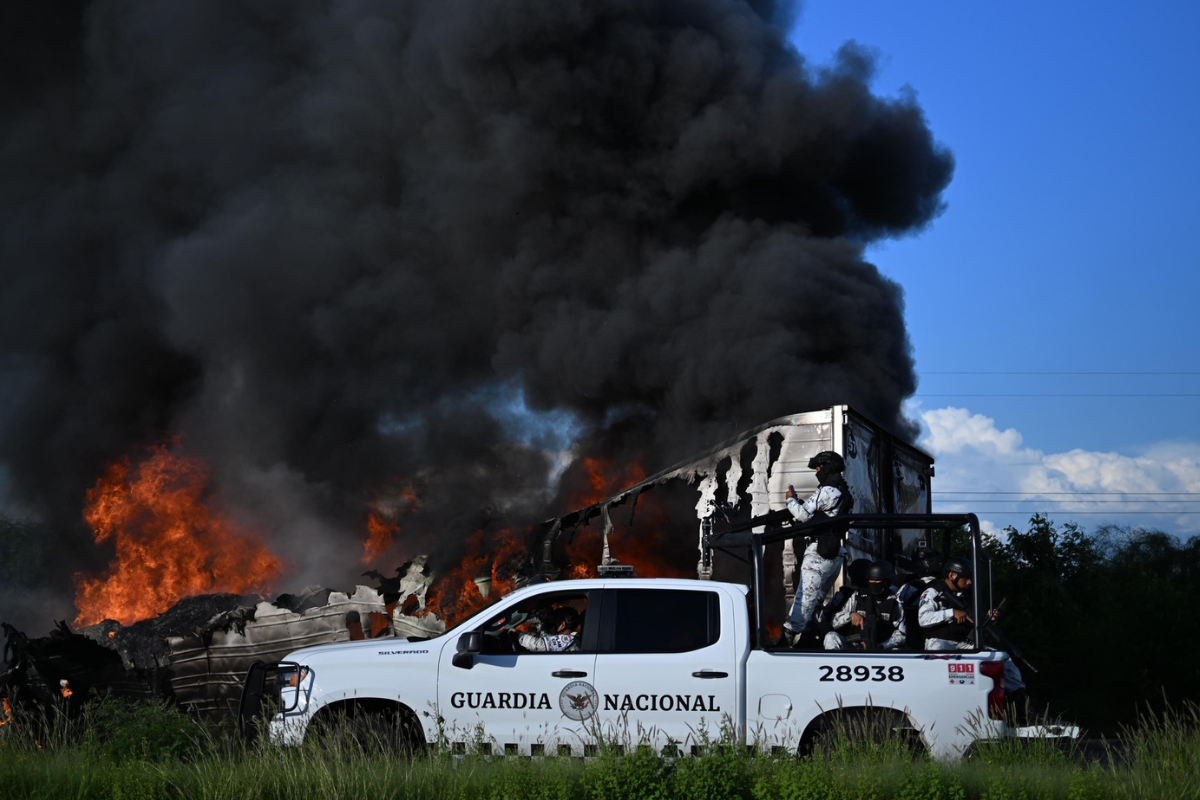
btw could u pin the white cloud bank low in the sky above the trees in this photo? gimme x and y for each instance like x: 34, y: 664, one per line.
x: 992, y: 472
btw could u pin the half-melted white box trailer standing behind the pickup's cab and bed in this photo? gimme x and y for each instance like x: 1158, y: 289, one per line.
x: 742, y: 483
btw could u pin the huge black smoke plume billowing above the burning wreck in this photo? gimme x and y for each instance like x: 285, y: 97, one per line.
x: 329, y: 245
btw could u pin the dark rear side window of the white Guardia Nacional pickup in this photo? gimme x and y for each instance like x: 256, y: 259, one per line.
x: 664, y: 621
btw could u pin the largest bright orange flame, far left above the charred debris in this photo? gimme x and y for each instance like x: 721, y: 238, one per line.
x: 170, y: 544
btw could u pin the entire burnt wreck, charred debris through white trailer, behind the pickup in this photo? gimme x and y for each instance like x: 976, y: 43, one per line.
x: 197, y: 653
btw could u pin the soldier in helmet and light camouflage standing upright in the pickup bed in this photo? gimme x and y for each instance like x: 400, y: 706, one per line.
x: 823, y: 557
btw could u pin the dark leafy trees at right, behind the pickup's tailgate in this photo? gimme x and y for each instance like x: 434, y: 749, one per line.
x: 1106, y: 618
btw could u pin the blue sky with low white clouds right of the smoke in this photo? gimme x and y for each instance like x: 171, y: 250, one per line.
x: 1066, y: 249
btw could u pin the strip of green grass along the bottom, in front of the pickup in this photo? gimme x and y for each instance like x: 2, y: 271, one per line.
x: 155, y: 753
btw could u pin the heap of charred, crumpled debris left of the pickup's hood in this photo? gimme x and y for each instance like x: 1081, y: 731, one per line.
x: 197, y: 653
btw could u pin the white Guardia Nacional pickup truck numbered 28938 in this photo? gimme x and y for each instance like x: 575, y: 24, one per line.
x: 665, y: 663
